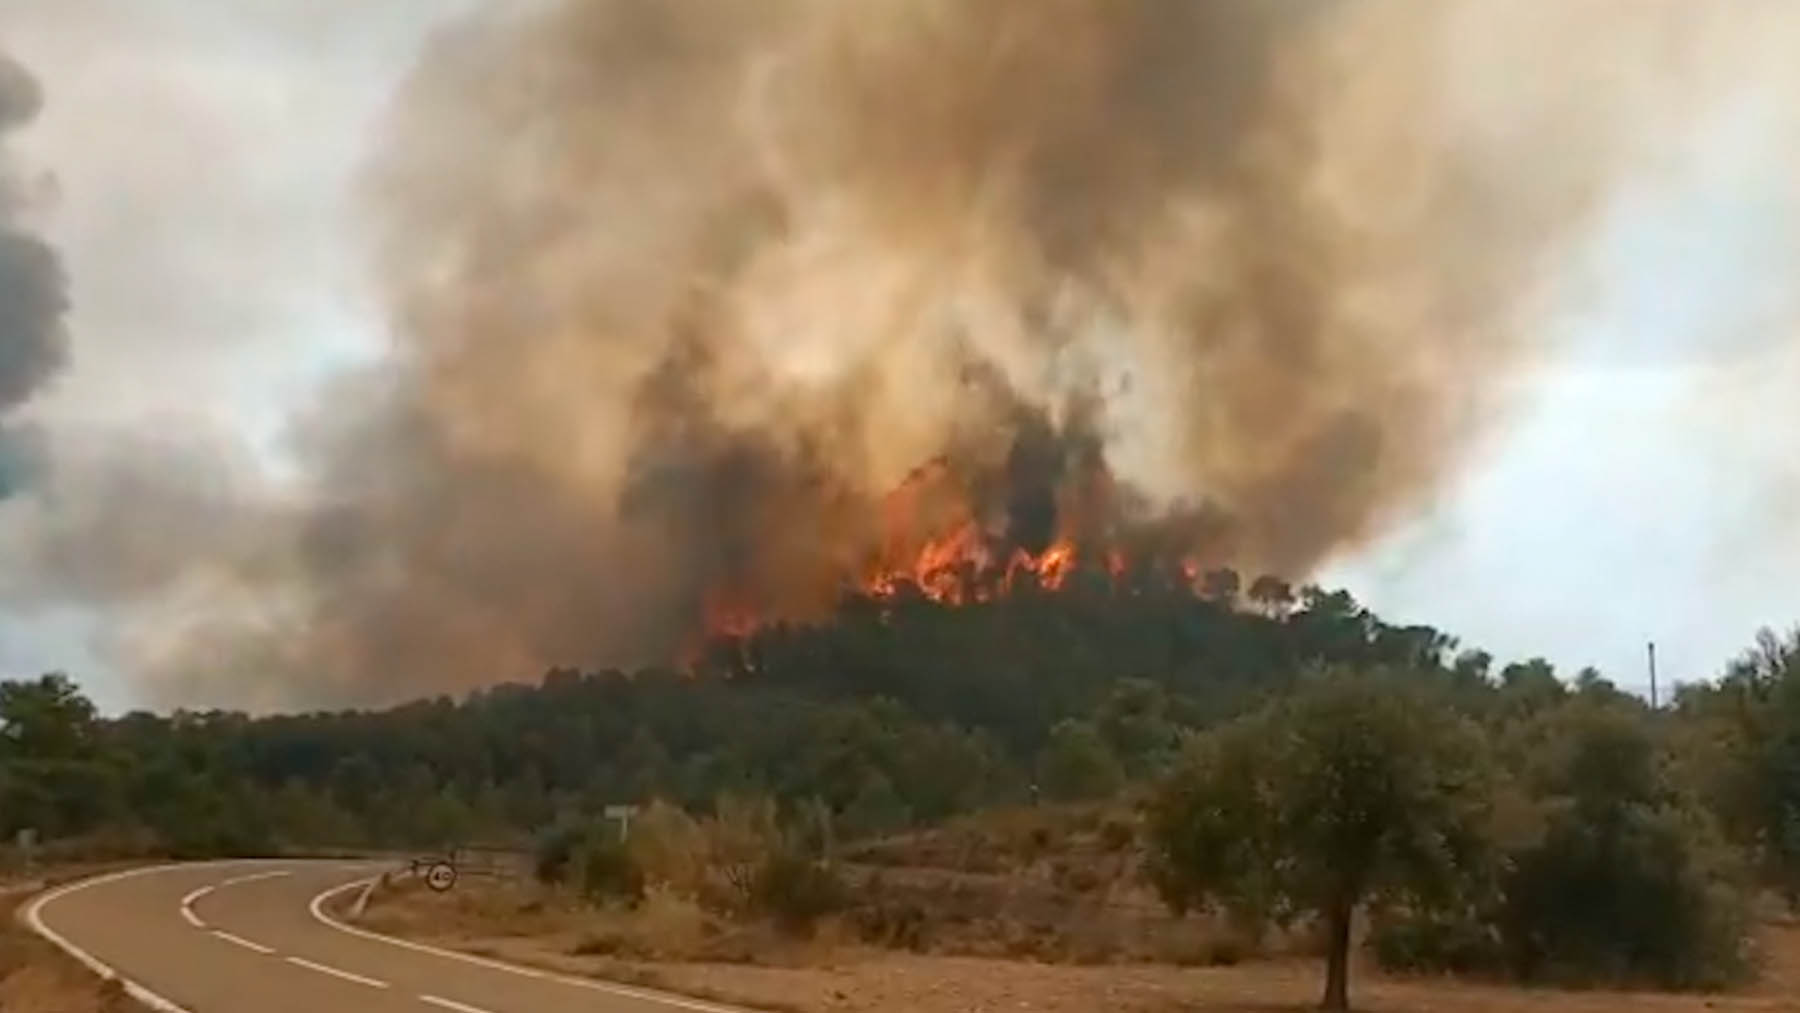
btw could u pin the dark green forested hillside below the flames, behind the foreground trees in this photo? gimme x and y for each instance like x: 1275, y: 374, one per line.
x: 899, y: 712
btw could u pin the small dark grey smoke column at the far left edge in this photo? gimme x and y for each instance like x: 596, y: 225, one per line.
x: 31, y: 292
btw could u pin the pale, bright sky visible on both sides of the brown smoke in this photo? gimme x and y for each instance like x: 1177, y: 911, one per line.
x: 1639, y: 481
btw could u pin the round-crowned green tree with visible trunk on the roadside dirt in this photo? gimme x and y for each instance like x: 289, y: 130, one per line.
x: 1360, y: 787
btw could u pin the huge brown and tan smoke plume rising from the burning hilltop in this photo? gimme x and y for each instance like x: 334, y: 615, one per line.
x: 685, y: 291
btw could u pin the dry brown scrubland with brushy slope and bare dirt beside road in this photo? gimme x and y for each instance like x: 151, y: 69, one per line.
x: 1009, y: 911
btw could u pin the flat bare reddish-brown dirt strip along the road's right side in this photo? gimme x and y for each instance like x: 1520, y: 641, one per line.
x: 841, y: 978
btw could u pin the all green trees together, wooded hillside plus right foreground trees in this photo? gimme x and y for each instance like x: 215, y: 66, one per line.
x: 1297, y: 758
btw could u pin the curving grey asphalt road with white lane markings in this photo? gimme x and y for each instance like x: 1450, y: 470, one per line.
x: 256, y: 938
